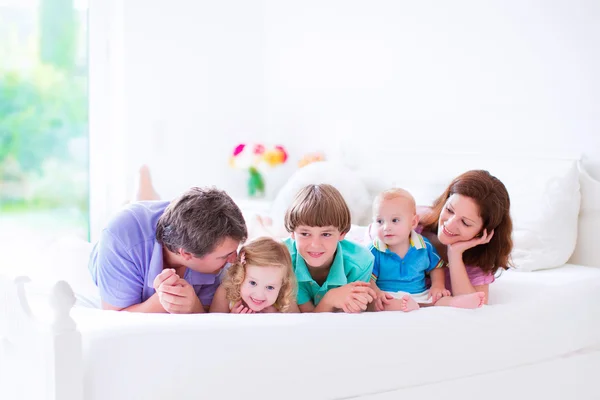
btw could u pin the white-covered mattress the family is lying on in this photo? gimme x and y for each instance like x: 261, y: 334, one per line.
x: 533, y: 319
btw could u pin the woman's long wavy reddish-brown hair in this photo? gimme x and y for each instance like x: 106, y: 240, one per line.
x: 491, y: 196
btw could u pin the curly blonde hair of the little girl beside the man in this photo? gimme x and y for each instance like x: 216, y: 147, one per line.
x: 262, y: 252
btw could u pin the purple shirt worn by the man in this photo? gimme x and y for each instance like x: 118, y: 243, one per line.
x: 127, y: 258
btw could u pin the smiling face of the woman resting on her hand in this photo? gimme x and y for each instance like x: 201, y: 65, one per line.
x: 459, y: 220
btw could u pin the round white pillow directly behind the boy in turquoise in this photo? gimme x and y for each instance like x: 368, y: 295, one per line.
x: 349, y: 184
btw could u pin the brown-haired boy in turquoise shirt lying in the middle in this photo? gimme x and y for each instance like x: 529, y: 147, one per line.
x: 332, y: 273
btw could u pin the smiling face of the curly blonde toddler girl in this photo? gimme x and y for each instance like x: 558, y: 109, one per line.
x: 261, y: 286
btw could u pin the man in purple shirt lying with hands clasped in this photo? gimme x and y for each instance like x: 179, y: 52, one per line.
x: 160, y: 256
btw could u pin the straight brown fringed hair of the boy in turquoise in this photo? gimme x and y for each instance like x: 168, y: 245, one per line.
x: 318, y: 205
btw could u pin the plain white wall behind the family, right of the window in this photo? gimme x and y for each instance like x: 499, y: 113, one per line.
x: 200, y: 76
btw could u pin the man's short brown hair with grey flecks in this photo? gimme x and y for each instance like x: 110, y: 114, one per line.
x: 199, y: 220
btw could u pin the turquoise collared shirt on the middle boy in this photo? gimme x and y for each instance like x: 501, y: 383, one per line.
x: 352, y: 263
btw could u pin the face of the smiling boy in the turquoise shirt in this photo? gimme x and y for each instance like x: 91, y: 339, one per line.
x: 317, y: 245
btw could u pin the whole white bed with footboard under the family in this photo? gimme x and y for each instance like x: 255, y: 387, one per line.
x: 539, y: 337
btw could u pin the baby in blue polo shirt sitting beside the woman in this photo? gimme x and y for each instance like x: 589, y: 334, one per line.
x: 403, y: 258
